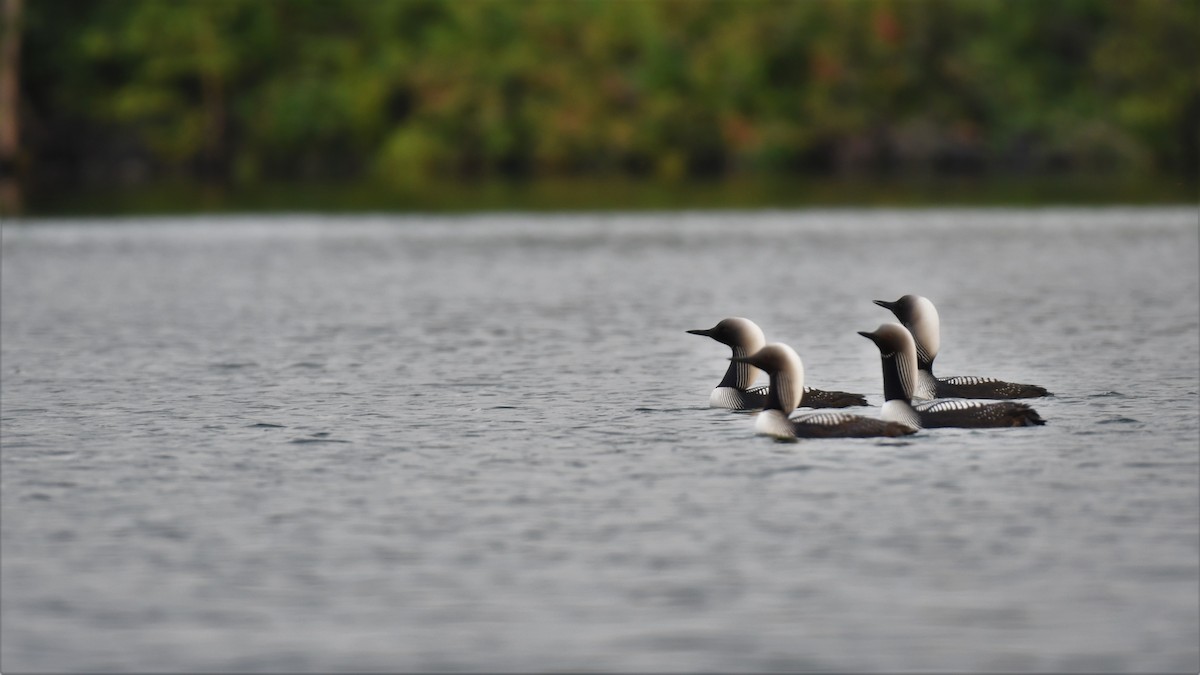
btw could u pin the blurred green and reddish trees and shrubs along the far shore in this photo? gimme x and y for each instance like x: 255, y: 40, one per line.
x: 247, y: 92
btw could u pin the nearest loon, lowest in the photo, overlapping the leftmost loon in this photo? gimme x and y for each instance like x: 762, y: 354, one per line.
x: 787, y: 374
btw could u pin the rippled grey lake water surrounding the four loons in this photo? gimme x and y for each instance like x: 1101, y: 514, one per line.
x: 482, y: 444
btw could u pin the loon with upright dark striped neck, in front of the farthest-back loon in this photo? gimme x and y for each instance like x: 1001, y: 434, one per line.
x: 898, y: 353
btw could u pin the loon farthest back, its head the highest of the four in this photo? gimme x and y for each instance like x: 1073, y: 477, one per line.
x: 920, y: 316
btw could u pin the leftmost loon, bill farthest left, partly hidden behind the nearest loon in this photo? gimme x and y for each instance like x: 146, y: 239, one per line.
x: 736, y: 390
